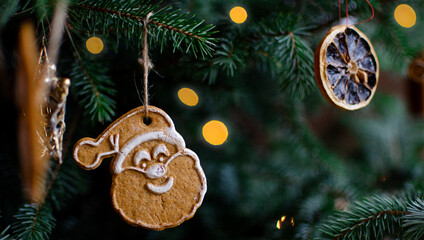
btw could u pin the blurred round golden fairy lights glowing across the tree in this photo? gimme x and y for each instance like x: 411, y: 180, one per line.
x: 215, y: 132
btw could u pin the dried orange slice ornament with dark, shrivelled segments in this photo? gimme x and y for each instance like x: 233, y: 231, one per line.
x: 346, y: 68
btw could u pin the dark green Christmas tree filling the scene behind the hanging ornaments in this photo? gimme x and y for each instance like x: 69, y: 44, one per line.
x: 238, y: 80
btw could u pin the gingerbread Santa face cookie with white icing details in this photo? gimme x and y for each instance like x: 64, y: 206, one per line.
x: 157, y: 182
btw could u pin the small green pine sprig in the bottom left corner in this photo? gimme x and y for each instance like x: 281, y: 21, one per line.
x: 33, y: 222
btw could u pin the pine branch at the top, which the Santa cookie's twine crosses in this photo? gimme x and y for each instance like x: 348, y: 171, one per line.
x: 126, y: 21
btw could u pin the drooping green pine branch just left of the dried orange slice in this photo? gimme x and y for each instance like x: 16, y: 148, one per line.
x: 279, y: 42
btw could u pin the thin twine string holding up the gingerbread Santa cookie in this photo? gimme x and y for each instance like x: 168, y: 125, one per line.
x: 147, y: 64
